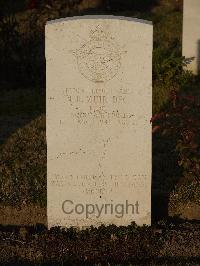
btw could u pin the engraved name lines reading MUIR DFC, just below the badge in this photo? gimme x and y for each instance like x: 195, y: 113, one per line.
x: 97, y: 111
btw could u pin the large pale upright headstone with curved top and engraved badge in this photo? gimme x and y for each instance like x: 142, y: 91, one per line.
x: 99, y: 106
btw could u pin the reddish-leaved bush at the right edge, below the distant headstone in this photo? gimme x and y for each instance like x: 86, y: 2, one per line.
x: 188, y: 144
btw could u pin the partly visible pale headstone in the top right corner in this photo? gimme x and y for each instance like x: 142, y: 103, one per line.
x: 191, y: 34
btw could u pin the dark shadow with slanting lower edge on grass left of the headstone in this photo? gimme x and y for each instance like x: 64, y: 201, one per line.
x: 18, y: 108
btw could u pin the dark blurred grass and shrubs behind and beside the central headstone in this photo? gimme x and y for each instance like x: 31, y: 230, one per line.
x: 176, y: 156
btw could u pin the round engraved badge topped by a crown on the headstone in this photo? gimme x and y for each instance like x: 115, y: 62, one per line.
x: 99, y: 59
